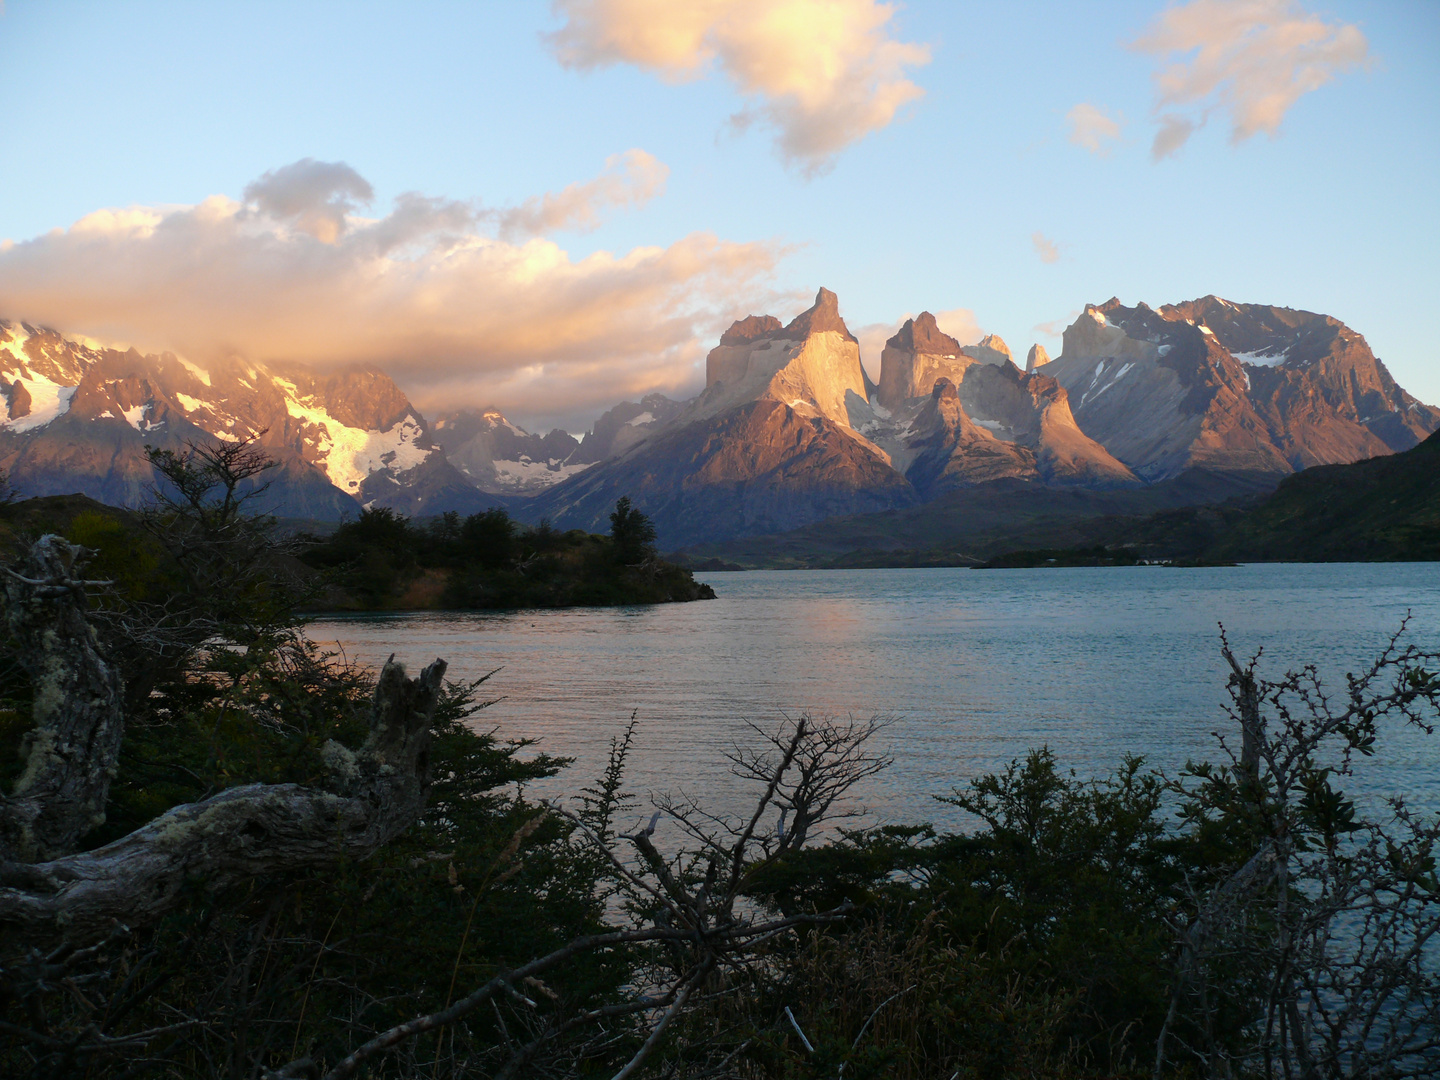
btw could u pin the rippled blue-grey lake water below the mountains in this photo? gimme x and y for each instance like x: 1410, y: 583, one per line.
x: 974, y: 666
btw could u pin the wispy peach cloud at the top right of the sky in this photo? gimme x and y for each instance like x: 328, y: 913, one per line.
x: 1249, y: 60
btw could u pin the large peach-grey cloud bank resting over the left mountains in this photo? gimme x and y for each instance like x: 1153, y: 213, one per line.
x: 457, y: 316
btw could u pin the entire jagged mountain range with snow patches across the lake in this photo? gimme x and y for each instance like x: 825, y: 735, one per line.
x: 790, y: 430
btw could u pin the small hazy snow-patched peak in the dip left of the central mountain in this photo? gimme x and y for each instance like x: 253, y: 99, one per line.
x: 502, y: 459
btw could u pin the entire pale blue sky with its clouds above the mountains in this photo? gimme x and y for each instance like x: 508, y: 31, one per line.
x: 552, y: 208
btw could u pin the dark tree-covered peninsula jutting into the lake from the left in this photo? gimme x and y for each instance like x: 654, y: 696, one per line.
x: 490, y: 561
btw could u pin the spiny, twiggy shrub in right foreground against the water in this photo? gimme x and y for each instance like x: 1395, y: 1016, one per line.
x: 1308, y: 942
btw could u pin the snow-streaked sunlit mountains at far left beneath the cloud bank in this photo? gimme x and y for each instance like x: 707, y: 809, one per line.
x: 78, y: 418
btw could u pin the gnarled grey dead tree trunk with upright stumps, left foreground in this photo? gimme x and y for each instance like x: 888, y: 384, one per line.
x: 260, y: 829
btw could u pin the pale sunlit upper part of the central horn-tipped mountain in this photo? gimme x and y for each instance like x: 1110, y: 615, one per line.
x: 811, y: 365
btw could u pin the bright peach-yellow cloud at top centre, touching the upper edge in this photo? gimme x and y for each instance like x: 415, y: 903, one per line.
x: 824, y: 74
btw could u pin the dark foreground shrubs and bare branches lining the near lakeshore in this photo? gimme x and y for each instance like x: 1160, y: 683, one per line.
x: 256, y: 901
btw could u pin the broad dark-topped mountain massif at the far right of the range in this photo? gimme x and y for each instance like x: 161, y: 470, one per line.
x: 1243, y: 388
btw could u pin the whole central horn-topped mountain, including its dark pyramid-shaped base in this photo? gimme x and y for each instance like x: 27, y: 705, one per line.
x: 768, y: 446
